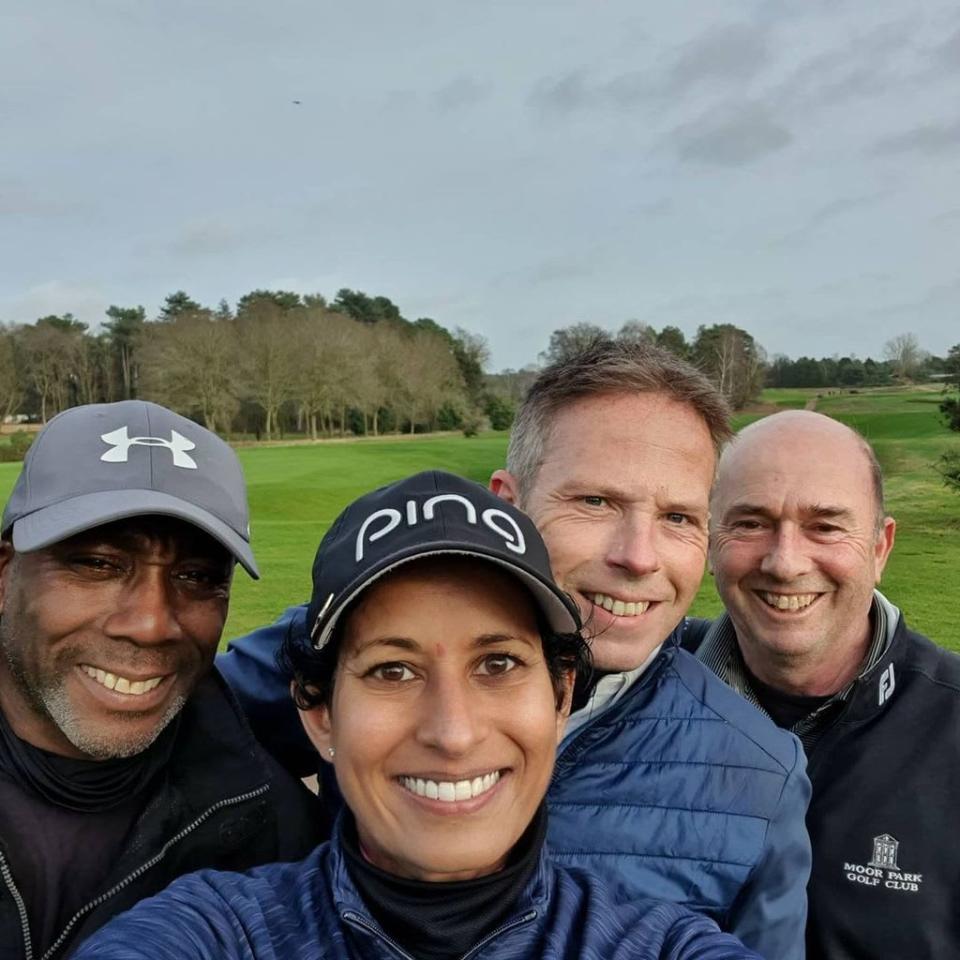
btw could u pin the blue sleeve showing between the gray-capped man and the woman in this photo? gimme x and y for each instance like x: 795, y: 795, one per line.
x: 250, y: 667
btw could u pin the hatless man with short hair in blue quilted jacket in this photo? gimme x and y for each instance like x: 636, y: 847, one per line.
x: 667, y: 783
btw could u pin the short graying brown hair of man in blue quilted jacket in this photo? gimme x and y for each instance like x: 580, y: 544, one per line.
x: 607, y: 366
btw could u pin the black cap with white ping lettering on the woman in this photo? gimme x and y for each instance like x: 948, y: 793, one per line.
x: 427, y: 515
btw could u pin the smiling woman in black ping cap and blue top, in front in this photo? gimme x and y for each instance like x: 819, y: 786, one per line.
x: 437, y: 682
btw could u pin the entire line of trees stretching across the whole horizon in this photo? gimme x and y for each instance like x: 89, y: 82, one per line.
x: 281, y: 363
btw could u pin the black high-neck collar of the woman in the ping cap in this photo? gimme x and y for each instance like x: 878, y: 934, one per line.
x: 442, y: 921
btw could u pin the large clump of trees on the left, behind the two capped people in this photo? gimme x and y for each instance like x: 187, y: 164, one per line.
x: 276, y: 363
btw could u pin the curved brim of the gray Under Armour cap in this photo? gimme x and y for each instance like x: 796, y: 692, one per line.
x: 52, y: 524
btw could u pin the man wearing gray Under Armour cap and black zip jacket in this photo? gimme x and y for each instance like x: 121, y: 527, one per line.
x: 123, y: 763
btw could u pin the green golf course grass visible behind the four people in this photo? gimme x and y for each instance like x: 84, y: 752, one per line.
x: 297, y: 490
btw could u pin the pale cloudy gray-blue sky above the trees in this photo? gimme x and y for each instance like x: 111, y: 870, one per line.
x: 507, y: 166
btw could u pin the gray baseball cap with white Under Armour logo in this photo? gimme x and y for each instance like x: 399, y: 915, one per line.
x: 102, y: 462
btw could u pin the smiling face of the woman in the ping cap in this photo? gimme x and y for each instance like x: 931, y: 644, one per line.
x: 444, y: 718
